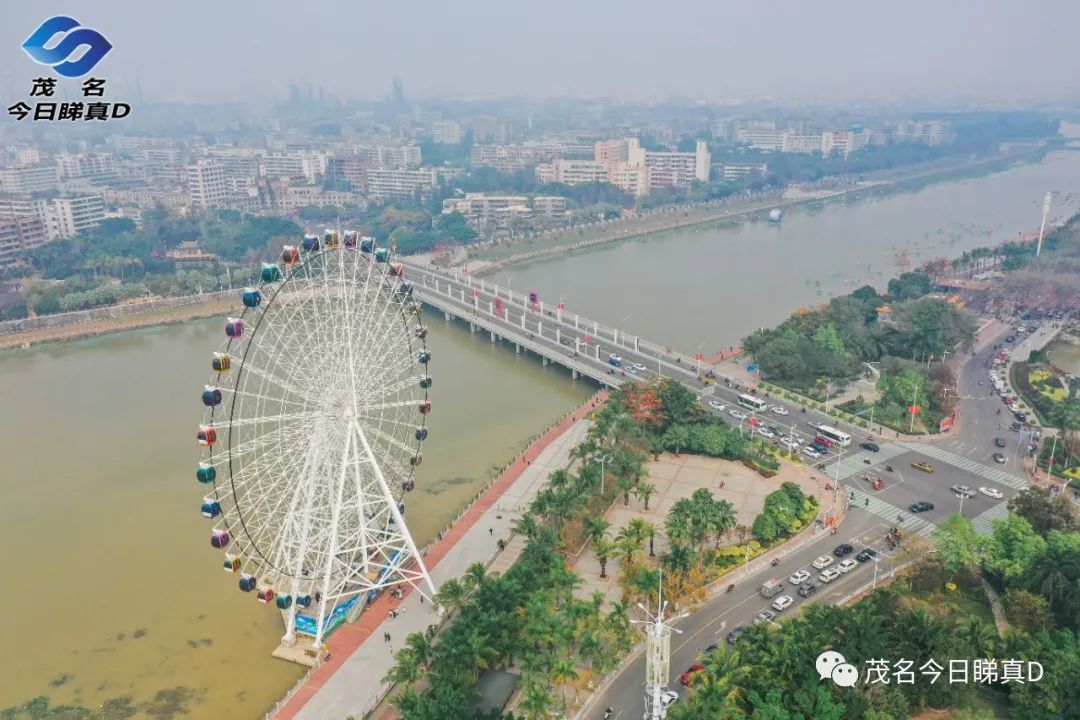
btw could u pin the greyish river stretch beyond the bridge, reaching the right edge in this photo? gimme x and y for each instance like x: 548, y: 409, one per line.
x: 709, y: 287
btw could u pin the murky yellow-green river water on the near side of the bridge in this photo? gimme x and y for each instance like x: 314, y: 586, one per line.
x: 110, y: 585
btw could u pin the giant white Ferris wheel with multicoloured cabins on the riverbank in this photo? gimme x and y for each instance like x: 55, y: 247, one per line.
x: 314, y: 424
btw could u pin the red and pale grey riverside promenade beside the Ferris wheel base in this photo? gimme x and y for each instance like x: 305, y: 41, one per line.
x: 350, y: 684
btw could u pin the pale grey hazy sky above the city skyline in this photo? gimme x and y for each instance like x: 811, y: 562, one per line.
x: 249, y: 50
